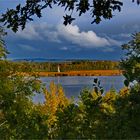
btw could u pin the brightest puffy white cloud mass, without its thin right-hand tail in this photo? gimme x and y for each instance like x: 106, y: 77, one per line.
x: 87, y: 39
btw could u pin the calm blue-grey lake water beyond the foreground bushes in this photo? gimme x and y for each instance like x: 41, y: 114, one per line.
x: 72, y: 85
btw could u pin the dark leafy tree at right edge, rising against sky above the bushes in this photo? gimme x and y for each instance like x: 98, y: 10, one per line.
x: 131, y: 62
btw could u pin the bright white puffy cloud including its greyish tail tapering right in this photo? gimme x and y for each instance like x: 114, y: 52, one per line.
x: 87, y: 39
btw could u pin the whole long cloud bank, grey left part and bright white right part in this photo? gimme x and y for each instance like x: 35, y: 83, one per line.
x: 70, y: 34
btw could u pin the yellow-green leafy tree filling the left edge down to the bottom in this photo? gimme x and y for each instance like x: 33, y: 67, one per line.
x: 19, y: 117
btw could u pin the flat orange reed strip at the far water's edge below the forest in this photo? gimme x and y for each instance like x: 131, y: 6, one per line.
x: 82, y: 73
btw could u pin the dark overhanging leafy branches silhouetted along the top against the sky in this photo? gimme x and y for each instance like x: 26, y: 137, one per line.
x: 99, y: 9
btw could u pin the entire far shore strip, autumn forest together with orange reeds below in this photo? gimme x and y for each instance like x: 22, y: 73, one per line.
x: 73, y: 68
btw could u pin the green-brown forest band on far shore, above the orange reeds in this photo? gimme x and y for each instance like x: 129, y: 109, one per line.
x: 82, y: 65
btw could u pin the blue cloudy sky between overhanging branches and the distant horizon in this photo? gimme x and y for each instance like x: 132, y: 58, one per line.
x: 48, y: 38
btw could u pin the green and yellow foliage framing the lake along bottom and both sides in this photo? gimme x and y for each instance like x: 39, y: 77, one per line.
x: 95, y: 116
